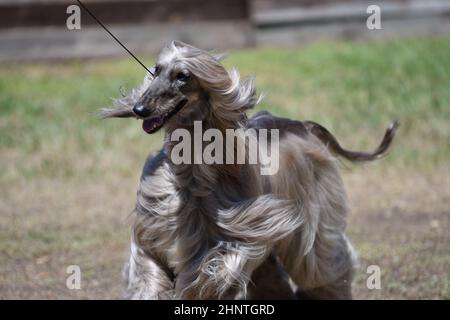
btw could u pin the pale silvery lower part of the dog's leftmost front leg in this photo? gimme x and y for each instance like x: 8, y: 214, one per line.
x: 146, y: 277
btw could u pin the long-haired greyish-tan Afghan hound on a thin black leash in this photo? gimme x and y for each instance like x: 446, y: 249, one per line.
x: 225, y: 231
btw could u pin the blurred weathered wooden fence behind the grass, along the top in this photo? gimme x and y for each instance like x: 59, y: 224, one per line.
x: 36, y: 29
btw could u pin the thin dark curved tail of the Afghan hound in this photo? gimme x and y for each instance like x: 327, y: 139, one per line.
x: 328, y: 139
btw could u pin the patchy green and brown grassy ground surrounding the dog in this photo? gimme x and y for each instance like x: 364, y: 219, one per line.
x: 68, y: 180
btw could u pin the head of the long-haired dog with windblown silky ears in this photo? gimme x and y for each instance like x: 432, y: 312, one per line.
x: 185, y: 84
